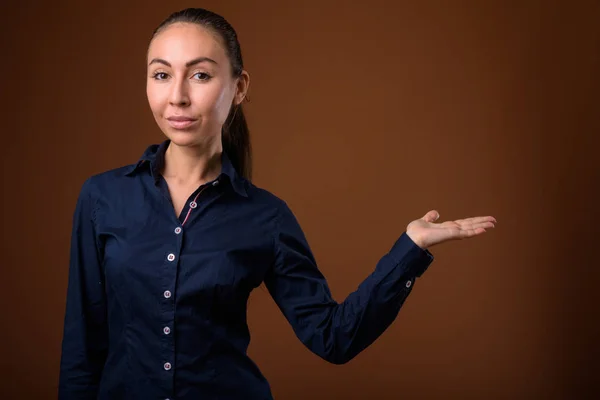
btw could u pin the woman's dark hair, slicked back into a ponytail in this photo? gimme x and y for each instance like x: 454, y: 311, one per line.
x: 235, y: 133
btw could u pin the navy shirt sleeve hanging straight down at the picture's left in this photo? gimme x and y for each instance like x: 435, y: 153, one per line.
x: 85, y: 335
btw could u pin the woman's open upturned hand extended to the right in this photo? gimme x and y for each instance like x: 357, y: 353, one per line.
x: 425, y: 232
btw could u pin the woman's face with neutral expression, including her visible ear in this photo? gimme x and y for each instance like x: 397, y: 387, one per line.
x: 190, y: 87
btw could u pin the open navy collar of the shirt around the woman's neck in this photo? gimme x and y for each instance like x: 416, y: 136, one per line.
x: 154, y: 156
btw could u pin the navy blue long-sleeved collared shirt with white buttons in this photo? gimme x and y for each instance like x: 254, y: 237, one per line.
x: 156, y: 303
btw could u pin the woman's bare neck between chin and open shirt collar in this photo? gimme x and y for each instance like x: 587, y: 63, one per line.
x: 192, y: 165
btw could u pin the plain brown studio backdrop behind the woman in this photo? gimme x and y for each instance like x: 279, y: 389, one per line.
x: 363, y: 117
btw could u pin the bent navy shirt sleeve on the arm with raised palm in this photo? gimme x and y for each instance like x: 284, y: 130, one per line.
x: 337, y: 332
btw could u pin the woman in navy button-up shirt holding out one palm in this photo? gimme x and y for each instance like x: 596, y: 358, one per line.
x: 166, y: 251
